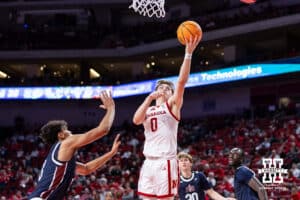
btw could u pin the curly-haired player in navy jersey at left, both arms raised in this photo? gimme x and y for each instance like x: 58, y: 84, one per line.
x: 60, y: 166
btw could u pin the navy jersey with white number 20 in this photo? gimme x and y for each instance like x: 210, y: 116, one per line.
x: 194, y: 187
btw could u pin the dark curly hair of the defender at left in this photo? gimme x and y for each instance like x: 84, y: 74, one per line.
x: 50, y: 130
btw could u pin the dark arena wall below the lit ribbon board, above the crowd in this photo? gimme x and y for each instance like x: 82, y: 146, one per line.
x: 197, y: 103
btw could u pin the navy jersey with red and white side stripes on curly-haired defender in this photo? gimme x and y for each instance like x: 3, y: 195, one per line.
x: 55, y: 176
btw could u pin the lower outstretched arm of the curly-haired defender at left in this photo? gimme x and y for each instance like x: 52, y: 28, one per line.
x: 88, y: 168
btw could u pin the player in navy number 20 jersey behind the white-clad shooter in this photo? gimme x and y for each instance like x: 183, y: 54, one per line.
x: 194, y: 185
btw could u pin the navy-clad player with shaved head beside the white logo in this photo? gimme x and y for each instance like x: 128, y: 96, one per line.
x: 246, y: 185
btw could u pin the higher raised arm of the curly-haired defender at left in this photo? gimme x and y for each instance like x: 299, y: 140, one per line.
x: 79, y: 140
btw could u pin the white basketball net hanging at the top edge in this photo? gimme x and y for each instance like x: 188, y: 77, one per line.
x: 149, y: 7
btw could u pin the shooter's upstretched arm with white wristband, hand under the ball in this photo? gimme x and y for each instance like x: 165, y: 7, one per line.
x: 184, y: 73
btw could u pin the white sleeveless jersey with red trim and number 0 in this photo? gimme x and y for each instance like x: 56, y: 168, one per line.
x: 161, y: 127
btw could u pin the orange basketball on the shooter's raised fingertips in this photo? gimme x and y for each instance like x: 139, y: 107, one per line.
x: 188, y: 30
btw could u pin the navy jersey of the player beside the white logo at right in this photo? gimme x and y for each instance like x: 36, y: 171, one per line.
x: 242, y: 190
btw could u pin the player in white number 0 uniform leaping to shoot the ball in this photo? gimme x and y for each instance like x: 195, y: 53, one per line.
x: 159, y: 173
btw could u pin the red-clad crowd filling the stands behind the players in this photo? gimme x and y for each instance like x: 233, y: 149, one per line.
x: 208, y: 140
